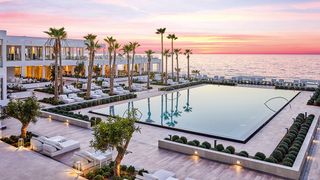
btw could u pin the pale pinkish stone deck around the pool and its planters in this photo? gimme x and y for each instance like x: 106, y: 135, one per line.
x: 146, y: 154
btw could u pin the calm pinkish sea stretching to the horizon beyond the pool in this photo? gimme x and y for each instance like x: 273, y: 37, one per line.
x: 270, y: 66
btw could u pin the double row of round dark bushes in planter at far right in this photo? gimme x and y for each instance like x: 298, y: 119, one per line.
x: 287, y: 150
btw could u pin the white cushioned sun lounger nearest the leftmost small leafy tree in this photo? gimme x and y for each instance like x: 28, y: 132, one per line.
x: 53, y: 146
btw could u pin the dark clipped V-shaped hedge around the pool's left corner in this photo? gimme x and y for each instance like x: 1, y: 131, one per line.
x: 67, y: 109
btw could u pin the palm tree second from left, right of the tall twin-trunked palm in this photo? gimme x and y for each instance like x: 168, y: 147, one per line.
x: 92, y: 45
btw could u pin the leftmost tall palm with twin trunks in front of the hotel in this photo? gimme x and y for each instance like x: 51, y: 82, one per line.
x: 56, y: 36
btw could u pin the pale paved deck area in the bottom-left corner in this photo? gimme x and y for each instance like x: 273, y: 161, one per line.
x: 25, y: 164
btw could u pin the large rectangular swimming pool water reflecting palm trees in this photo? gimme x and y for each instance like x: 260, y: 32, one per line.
x: 226, y: 112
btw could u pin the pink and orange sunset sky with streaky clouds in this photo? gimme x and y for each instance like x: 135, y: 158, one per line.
x: 206, y: 26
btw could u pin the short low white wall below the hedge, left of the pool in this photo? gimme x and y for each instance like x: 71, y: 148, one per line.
x: 72, y: 121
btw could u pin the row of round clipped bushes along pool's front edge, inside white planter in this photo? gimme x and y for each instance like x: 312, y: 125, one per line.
x: 218, y: 147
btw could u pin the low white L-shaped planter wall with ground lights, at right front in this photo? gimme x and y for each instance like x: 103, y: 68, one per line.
x: 293, y: 172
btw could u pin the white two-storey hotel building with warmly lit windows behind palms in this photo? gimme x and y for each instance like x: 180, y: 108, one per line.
x: 22, y: 56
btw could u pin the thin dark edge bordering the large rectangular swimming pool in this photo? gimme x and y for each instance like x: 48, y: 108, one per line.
x: 209, y: 135
